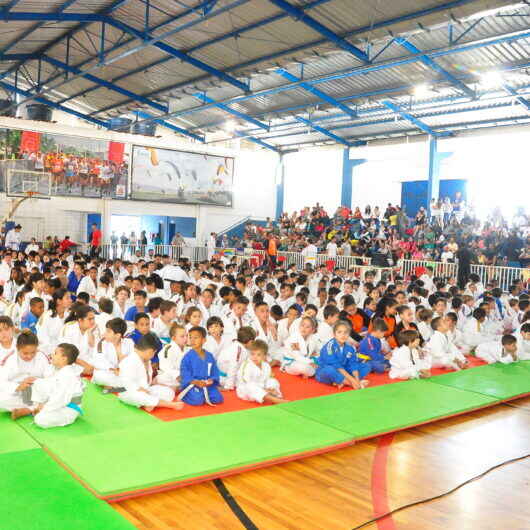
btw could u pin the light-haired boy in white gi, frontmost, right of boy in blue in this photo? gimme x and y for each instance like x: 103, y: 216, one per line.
x: 254, y: 379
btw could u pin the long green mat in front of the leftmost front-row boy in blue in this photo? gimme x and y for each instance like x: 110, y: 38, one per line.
x: 136, y: 458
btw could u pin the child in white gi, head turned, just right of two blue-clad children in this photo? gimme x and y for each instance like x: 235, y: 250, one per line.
x: 407, y: 361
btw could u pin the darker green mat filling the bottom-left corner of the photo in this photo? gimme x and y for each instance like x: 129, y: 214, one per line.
x: 40, y: 495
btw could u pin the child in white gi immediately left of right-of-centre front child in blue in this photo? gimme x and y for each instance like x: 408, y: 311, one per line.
x: 300, y: 351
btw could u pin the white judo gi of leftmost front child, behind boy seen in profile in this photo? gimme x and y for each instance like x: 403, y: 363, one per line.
x: 13, y: 372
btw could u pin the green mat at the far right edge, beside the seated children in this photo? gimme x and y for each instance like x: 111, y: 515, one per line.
x: 502, y: 381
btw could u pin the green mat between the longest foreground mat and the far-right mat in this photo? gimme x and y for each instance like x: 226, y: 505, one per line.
x: 365, y: 413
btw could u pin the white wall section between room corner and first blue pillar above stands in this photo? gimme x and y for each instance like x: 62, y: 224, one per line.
x: 311, y: 176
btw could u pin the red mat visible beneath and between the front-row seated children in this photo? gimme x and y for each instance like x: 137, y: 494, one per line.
x: 294, y: 388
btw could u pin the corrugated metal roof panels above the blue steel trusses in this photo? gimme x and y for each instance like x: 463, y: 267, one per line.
x: 253, y: 55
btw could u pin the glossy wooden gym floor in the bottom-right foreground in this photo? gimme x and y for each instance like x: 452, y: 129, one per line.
x: 340, y: 490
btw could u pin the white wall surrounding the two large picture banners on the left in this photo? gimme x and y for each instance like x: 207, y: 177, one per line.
x: 254, y: 186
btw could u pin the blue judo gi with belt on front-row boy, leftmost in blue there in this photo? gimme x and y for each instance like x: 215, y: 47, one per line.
x: 194, y: 367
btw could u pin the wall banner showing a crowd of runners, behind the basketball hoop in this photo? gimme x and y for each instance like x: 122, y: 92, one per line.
x: 79, y: 166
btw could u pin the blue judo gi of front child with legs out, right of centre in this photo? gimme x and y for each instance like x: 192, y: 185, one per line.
x: 333, y: 357
